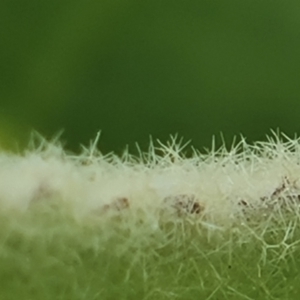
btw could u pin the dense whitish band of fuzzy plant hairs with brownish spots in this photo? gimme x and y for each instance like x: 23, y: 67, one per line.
x: 217, y: 189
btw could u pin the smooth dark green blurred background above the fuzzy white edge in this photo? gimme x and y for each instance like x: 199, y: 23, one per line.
x: 137, y: 68
